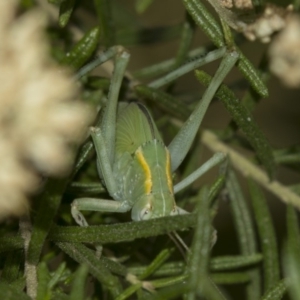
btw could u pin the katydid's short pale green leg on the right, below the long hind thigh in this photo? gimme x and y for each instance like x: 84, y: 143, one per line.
x: 216, y: 159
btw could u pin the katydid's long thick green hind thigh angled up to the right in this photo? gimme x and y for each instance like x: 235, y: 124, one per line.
x: 181, y: 144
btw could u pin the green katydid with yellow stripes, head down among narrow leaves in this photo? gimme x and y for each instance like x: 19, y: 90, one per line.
x: 133, y: 162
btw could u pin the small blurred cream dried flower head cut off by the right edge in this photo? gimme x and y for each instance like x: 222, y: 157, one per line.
x: 284, y: 53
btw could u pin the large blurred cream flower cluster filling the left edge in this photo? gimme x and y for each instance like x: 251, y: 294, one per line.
x: 39, y: 118
